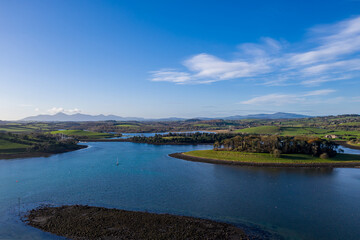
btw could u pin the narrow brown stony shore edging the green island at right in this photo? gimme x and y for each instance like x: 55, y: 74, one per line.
x: 255, y: 164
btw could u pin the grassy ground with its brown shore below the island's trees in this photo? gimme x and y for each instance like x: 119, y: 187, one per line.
x: 265, y: 159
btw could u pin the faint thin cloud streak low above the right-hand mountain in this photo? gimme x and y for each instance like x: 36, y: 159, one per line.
x: 284, y: 99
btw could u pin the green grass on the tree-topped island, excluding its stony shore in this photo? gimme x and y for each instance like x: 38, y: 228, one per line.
x: 268, y: 158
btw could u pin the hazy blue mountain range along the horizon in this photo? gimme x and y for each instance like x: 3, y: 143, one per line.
x: 78, y: 117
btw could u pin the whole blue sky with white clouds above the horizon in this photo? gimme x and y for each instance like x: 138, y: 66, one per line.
x: 179, y: 58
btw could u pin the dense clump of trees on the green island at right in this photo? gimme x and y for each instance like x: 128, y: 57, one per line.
x: 278, y: 144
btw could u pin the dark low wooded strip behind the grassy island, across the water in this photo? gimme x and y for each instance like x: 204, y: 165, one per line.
x: 182, y: 138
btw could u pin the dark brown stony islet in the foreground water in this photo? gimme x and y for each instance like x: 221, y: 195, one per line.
x: 85, y: 222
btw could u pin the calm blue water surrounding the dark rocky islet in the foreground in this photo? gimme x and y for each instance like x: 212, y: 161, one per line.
x: 295, y: 203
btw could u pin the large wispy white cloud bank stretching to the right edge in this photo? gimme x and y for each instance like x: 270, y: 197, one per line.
x: 329, y: 53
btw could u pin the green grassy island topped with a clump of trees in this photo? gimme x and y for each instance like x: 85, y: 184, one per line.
x: 273, y: 151
